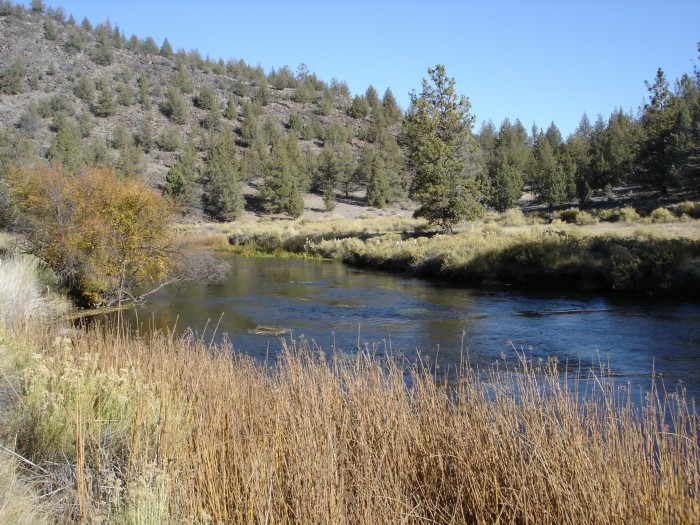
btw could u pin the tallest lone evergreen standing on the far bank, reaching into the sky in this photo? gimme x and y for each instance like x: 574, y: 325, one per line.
x: 442, y: 153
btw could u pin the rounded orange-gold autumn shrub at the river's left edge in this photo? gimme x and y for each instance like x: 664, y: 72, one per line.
x: 103, y: 236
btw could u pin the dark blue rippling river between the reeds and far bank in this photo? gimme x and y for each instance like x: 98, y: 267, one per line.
x: 333, y: 305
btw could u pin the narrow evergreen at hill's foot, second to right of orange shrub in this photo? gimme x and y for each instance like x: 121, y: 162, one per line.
x: 223, y: 198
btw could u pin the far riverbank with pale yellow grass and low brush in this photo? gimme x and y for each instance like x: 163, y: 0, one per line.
x: 631, y: 254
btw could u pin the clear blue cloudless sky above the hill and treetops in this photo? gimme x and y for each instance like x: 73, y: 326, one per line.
x: 541, y: 61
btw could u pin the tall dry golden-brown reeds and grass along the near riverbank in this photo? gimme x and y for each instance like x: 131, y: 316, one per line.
x: 125, y: 429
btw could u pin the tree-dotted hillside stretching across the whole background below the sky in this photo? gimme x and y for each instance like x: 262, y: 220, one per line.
x: 225, y: 139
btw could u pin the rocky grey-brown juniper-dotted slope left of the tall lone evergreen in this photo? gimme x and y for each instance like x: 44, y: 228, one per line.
x: 136, y: 103
